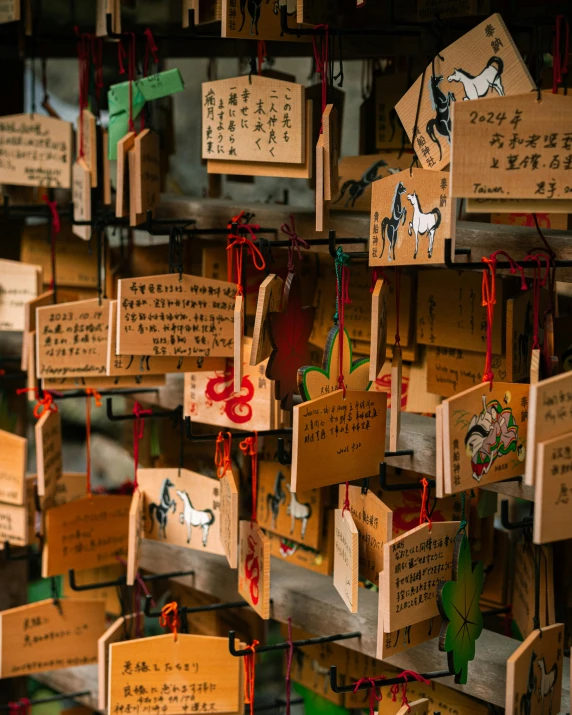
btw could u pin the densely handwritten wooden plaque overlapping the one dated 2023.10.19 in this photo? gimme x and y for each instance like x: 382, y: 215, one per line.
x: 166, y: 315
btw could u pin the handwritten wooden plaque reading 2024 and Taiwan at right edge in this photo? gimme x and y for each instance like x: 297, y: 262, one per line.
x: 514, y: 147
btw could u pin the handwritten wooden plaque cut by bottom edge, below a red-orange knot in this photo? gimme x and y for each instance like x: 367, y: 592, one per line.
x: 178, y: 670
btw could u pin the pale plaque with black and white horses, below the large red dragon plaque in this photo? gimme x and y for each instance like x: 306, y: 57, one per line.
x: 181, y: 507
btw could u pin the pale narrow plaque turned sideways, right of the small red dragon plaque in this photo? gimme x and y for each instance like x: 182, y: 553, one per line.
x: 346, y: 557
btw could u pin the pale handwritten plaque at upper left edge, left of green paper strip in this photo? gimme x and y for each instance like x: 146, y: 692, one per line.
x: 36, y: 151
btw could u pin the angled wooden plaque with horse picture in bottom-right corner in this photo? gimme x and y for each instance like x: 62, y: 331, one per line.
x: 534, y: 673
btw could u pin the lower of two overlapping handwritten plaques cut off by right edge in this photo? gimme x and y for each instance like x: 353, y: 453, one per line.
x: 553, y: 490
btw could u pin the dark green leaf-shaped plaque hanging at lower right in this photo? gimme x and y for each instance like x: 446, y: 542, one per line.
x: 458, y: 602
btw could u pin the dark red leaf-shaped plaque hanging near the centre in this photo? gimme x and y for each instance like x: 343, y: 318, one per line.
x: 289, y: 333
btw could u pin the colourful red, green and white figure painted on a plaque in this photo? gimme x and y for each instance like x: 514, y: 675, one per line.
x: 492, y: 433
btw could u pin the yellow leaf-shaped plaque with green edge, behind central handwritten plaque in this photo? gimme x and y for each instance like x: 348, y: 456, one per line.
x: 315, y: 382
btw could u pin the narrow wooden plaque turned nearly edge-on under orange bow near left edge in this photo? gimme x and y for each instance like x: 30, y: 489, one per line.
x: 48, y: 435
